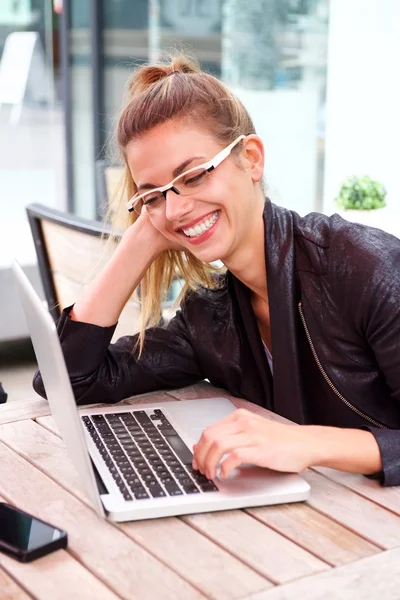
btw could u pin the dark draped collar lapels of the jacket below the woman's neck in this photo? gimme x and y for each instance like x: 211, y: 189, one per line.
x: 283, y: 299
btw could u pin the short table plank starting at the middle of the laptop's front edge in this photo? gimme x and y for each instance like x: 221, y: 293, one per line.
x: 269, y: 553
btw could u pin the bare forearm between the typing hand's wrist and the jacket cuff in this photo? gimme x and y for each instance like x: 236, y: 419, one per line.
x: 350, y: 450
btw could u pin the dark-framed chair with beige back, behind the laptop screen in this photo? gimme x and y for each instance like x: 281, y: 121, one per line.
x: 70, y: 251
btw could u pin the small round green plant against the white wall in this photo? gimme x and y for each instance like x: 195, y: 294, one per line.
x: 361, y: 193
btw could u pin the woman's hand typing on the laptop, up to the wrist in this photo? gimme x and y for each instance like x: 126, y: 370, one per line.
x: 248, y: 438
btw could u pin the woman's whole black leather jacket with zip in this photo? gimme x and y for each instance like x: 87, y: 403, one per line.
x: 334, y: 295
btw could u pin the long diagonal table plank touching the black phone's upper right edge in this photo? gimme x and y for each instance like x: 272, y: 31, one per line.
x: 107, y: 552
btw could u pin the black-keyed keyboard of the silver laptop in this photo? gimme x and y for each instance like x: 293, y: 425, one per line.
x: 145, y: 455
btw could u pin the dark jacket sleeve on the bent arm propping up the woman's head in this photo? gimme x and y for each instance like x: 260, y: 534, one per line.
x: 104, y: 372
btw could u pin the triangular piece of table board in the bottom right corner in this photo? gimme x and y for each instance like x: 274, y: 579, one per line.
x: 368, y: 579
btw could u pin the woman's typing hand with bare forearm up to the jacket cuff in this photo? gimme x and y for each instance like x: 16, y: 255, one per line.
x: 247, y: 438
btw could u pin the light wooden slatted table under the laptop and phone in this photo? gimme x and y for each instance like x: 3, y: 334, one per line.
x: 342, y: 543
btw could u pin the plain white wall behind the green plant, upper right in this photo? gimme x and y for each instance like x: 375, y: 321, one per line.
x: 363, y: 99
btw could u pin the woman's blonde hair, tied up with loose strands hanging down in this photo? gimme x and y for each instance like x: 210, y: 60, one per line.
x: 175, y: 88
